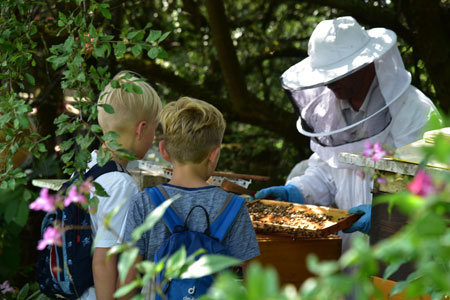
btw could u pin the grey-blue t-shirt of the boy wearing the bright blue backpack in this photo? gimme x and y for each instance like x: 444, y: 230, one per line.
x: 241, y: 238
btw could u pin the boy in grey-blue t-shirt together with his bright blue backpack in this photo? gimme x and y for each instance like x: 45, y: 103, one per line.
x: 193, y: 132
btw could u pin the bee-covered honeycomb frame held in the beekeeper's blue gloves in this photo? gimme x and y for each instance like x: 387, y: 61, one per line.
x: 298, y: 220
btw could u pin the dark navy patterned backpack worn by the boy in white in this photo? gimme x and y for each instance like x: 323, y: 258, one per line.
x: 66, y: 272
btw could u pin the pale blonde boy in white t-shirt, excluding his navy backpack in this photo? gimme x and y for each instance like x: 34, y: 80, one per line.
x: 135, y: 118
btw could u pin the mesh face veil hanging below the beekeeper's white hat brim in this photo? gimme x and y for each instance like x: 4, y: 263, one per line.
x: 320, y: 112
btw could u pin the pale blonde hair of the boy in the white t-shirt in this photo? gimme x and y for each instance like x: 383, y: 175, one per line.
x: 129, y: 107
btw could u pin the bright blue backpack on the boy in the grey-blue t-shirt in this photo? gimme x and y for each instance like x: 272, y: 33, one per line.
x: 210, y: 240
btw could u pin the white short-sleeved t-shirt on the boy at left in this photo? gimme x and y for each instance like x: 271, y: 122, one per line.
x: 120, y: 187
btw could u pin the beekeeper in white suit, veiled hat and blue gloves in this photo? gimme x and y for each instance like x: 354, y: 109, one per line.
x: 352, y: 88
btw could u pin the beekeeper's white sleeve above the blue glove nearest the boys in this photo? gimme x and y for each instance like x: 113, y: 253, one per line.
x: 317, y: 184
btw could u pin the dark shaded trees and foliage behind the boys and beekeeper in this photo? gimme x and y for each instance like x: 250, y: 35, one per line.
x: 232, y: 54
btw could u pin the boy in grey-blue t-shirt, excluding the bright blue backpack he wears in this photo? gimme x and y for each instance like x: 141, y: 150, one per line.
x: 193, y: 132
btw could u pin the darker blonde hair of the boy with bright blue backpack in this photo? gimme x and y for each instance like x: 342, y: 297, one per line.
x: 191, y: 128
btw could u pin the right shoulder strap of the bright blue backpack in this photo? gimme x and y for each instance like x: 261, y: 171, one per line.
x: 226, y: 216
